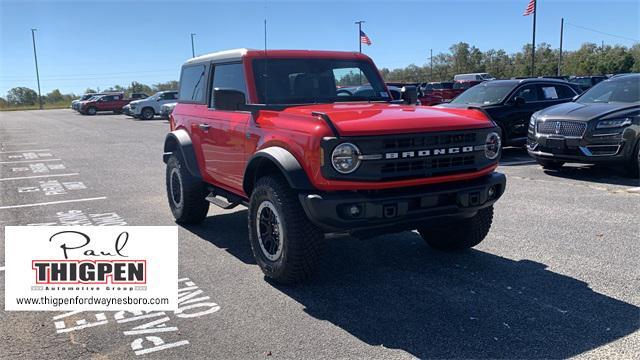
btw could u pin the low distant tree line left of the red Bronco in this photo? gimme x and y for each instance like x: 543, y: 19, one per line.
x: 24, y: 96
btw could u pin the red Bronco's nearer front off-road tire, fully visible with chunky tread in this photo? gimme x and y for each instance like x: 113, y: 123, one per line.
x: 301, y: 241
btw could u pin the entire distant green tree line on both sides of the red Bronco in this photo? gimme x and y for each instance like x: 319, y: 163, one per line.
x: 589, y: 59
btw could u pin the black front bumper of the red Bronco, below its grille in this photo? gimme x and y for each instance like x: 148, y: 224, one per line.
x: 401, y: 208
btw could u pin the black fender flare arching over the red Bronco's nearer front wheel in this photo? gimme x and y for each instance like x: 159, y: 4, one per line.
x: 284, y: 161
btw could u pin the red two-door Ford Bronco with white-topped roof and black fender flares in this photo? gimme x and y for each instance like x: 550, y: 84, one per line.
x: 272, y: 131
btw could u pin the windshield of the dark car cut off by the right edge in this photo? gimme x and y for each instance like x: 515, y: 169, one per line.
x: 618, y: 91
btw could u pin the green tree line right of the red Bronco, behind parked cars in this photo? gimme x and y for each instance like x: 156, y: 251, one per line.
x: 589, y: 59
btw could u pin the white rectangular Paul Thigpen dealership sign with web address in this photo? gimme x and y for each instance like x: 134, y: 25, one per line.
x: 91, y: 268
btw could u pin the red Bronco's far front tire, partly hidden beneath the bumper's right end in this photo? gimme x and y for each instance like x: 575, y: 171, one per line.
x: 461, y: 234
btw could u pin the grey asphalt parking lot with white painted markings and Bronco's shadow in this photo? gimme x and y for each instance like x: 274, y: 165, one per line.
x: 558, y: 275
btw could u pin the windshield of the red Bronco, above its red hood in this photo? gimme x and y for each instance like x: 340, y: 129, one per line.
x: 305, y: 81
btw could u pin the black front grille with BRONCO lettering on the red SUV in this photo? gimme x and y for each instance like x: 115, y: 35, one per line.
x: 414, y: 164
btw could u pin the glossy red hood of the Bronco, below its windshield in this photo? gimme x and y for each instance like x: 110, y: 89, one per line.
x: 363, y: 119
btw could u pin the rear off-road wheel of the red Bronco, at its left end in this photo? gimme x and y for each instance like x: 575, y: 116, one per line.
x: 187, y: 202
